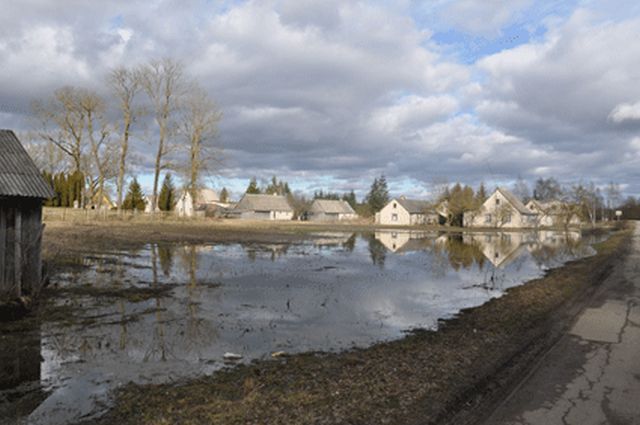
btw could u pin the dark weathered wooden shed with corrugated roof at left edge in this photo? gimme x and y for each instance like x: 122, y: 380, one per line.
x: 22, y: 191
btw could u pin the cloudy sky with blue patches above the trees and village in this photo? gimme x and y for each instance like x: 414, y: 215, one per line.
x: 330, y: 94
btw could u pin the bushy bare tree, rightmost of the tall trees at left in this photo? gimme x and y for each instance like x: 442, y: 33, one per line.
x: 199, y: 126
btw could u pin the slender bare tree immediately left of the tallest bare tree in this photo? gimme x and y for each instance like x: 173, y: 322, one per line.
x: 125, y: 84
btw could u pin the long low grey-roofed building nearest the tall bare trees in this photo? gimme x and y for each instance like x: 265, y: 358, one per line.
x: 262, y: 207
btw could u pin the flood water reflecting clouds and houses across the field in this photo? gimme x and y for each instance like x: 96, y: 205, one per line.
x: 331, y: 292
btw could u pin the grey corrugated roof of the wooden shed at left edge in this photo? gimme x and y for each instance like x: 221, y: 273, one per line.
x: 19, y: 176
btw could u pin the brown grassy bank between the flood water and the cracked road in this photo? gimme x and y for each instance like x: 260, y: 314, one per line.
x: 422, y: 378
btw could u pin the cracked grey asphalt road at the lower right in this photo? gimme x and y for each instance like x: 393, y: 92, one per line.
x: 592, y: 375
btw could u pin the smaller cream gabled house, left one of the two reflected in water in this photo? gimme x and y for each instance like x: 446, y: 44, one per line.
x: 407, y: 212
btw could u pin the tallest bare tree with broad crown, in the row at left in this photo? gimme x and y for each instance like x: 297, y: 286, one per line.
x: 163, y: 82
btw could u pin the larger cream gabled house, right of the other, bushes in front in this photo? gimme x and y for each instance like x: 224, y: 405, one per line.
x: 502, y: 210
